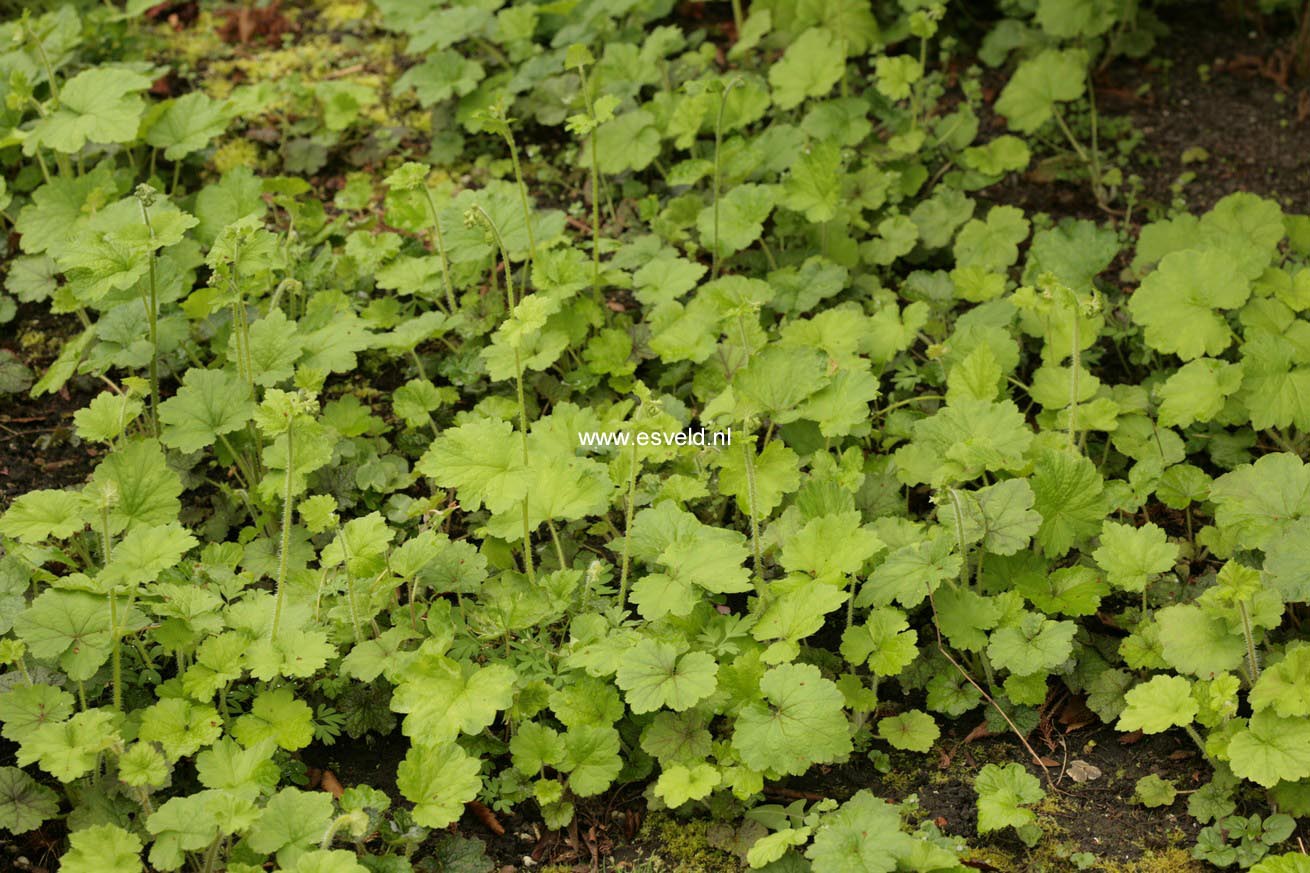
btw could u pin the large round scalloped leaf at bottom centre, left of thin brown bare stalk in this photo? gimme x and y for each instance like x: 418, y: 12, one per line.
x: 802, y: 723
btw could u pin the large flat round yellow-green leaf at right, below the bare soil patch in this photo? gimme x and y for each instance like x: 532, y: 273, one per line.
x: 1178, y: 303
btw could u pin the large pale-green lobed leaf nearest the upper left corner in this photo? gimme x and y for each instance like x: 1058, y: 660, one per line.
x: 98, y: 106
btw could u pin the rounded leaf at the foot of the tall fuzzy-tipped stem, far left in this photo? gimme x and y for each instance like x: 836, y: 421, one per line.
x: 210, y: 403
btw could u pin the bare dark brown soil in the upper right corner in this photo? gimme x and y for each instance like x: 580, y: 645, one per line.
x: 1215, y: 91
